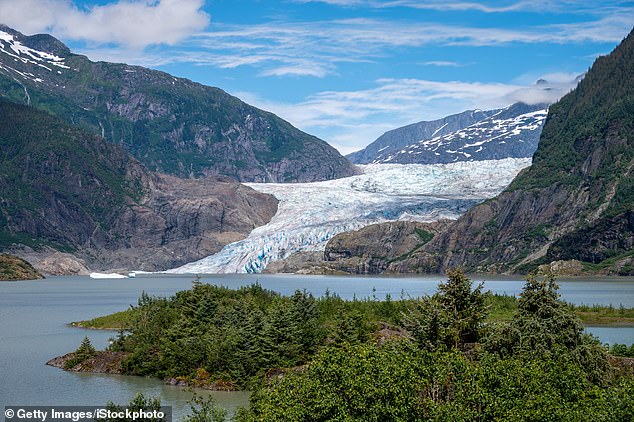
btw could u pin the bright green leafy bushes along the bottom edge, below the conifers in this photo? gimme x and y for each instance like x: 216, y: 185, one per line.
x: 399, y: 382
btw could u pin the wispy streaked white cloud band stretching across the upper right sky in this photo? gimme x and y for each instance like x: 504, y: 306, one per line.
x: 318, y: 48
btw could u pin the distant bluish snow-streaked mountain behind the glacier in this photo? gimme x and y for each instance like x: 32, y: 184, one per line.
x: 511, y: 132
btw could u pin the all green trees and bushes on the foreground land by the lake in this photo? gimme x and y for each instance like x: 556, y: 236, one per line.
x: 459, y: 354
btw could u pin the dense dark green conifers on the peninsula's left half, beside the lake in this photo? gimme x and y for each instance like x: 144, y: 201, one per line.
x: 234, y: 335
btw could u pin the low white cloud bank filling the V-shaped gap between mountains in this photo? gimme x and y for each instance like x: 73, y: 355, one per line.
x: 349, y: 120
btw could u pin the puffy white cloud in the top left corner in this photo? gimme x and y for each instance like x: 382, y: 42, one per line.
x: 131, y: 23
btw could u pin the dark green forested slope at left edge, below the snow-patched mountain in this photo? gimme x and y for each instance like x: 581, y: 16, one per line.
x: 52, y: 173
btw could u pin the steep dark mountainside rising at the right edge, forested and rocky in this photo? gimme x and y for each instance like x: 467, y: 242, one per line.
x: 575, y: 203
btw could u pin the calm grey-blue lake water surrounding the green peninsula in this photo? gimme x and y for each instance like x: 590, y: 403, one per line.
x: 34, y: 314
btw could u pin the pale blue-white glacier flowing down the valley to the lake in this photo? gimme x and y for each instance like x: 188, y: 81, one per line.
x: 309, y: 214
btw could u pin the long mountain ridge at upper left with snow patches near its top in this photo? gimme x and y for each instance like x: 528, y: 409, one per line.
x: 170, y: 124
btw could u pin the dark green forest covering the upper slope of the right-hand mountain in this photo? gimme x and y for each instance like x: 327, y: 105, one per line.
x: 602, y: 106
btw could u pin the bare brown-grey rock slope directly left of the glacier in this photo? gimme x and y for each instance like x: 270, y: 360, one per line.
x: 181, y: 221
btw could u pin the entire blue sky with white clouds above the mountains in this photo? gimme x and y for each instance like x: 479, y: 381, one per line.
x: 346, y: 70
